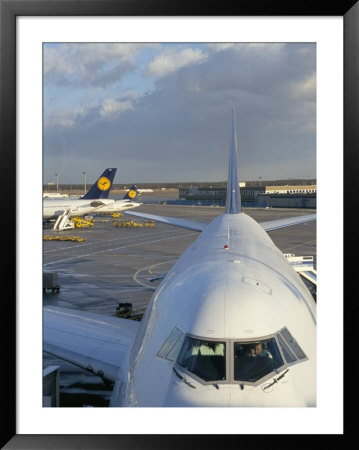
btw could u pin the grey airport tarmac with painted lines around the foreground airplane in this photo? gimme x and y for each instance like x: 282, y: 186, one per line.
x: 115, y: 264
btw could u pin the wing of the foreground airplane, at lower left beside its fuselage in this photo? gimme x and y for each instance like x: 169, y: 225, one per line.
x: 95, y: 342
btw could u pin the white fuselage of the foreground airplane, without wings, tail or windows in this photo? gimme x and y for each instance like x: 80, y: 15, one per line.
x: 244, y: 293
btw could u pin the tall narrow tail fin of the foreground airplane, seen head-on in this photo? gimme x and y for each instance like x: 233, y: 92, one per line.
x: 233, y: 200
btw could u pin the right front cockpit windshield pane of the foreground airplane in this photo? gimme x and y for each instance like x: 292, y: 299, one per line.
x: 255, y: 360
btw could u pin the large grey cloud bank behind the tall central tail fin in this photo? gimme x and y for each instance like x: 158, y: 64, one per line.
x: 179, y: 131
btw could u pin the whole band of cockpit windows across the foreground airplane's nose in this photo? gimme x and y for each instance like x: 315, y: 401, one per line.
x: 232, y: 360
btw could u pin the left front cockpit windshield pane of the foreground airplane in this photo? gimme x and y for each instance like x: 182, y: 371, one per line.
x: 206, y: 359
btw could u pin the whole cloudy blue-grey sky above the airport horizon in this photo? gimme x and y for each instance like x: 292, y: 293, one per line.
x: 162, y: 112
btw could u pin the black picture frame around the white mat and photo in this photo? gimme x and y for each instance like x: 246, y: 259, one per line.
x: 9, y: 10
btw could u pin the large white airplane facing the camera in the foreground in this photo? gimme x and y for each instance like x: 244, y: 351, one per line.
x: 231, y: 324
